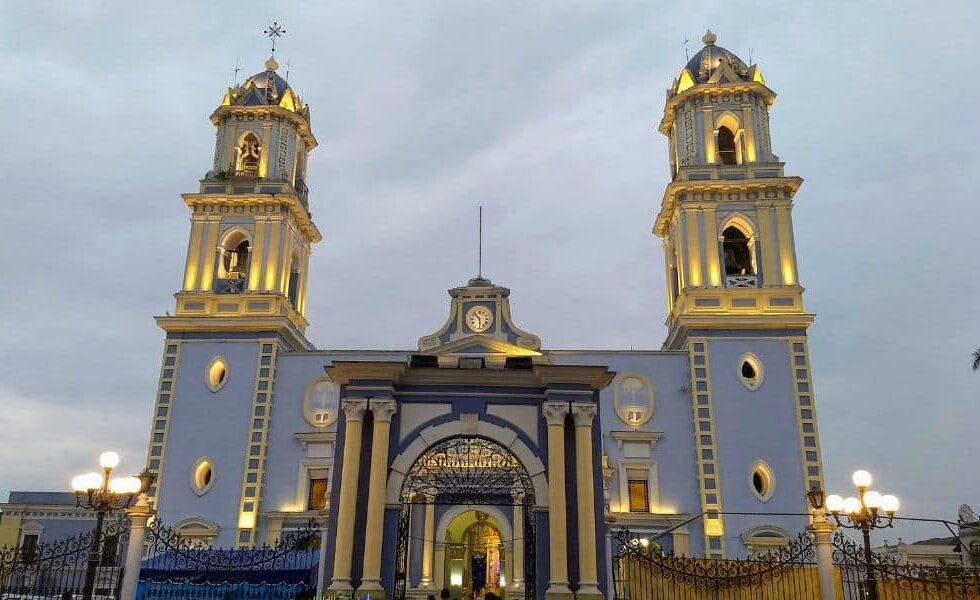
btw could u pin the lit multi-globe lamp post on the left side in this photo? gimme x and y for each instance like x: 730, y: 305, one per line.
x: 105, y: 494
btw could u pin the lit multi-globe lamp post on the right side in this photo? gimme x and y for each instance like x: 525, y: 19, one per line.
x: 869, y: 510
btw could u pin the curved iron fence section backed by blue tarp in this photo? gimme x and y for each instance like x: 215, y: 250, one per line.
x: 175, y: 568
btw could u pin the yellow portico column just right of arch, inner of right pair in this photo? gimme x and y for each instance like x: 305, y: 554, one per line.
x: 555, y: 413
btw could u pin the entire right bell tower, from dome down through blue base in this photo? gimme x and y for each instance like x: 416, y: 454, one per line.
x: 735, y: 303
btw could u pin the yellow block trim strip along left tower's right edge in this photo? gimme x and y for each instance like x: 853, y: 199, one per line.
x: 262, y: 396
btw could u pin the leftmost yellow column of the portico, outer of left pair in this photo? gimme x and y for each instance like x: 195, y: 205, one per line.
x: 354, y: 413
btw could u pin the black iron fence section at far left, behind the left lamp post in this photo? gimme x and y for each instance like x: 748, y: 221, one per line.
x: 58, y: 569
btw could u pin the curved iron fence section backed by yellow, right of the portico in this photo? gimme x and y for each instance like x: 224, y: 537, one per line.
x: 641, y: 571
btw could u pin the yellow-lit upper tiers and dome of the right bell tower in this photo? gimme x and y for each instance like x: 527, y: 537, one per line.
x: 725, y: 219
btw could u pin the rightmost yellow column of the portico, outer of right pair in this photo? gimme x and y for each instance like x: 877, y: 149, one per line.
x: 588, y: 586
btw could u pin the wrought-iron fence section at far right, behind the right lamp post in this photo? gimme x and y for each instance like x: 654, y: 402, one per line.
x: 893, y: 579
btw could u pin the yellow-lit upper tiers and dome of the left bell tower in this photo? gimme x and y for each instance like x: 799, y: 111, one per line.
x: 251, y: 228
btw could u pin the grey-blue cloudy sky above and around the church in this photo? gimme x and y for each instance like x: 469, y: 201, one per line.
x: 543, y: 112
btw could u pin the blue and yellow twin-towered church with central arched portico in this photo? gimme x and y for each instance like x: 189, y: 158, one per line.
x: 480, y: 460
